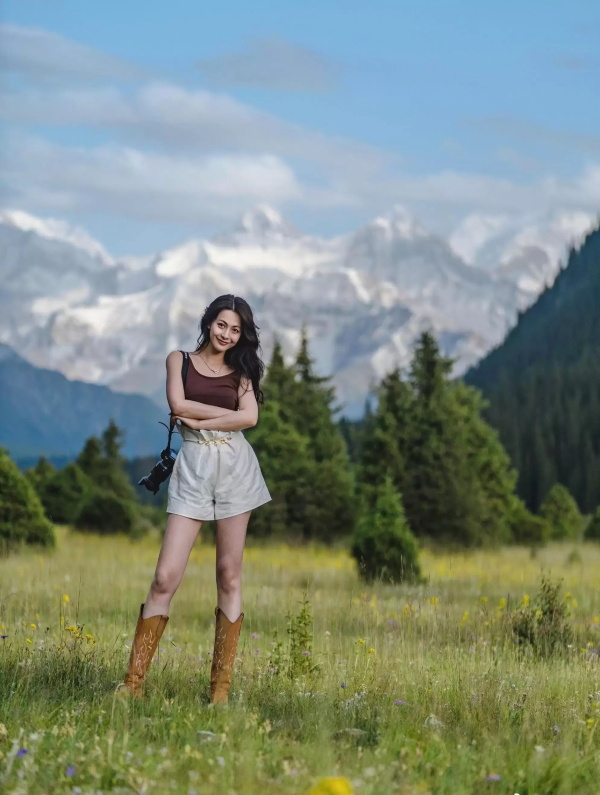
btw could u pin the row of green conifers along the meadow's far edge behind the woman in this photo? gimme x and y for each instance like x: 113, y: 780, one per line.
x: 425, y: 468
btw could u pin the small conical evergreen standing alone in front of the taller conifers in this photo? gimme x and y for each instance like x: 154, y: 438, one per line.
x: 383, y: 545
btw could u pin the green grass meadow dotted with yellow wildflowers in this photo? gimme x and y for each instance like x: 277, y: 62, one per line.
x: 399, y: 689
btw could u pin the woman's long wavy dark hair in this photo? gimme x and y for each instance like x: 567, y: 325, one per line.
x: 245, y: 353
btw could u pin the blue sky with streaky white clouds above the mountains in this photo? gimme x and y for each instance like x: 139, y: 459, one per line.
x: 151, y: 122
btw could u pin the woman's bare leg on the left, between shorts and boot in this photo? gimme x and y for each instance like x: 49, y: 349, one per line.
x: 174, y: 554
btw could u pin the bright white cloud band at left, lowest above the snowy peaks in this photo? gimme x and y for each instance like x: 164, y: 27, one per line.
x: 133, y: 184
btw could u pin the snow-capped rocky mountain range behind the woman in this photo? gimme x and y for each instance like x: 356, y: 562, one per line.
x: 364, y: 297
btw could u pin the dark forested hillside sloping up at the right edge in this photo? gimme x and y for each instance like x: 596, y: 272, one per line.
x: 543, y: 384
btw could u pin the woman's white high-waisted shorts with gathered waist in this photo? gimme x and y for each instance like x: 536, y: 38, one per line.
x: 216, y: 475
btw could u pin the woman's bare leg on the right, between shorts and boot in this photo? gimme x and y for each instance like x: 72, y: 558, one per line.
x: 231, y: 538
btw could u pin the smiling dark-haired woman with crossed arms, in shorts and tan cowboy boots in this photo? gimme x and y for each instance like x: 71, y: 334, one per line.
x: 216, y: 476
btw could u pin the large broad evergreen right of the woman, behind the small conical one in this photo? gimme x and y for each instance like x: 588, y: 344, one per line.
x: 449, y: 465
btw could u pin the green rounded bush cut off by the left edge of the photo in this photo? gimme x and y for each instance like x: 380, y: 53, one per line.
x: 22, y: 518
